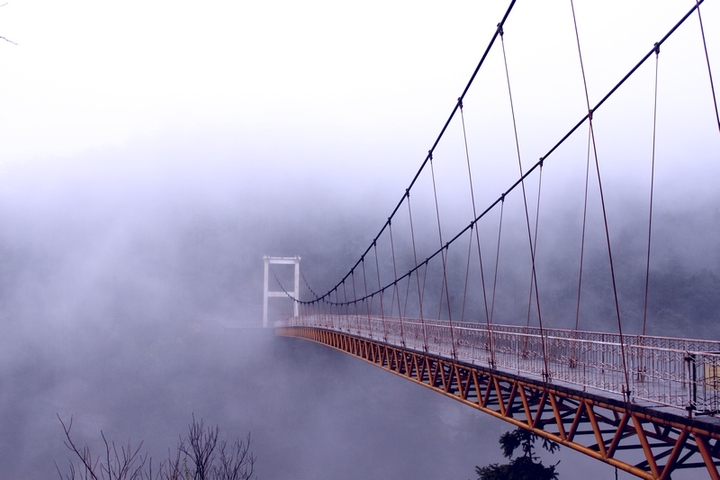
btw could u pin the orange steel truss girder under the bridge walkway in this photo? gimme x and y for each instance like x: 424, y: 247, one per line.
x: 645, y: 442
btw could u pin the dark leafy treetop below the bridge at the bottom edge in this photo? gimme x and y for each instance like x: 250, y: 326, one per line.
x: 525, y: 467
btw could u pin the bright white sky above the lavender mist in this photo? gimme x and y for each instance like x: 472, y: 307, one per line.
x: 334, y: 81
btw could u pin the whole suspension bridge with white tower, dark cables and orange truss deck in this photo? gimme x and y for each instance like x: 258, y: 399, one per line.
x: 550, y: 325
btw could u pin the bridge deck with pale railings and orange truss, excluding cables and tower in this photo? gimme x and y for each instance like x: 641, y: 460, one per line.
x: 576, y: 398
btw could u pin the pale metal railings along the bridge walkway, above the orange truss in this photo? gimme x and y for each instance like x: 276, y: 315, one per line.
x: 675, y: 372
